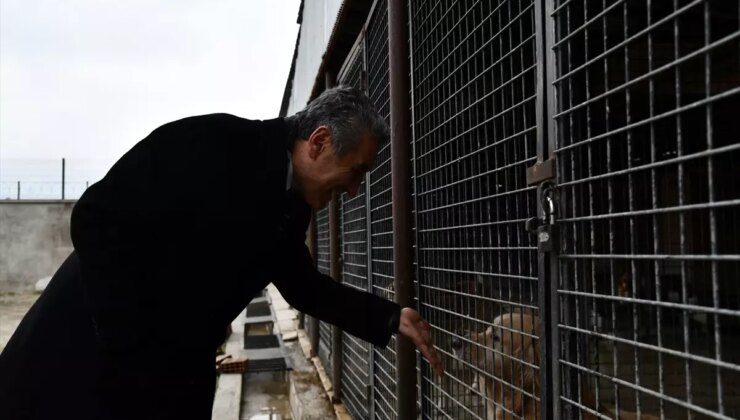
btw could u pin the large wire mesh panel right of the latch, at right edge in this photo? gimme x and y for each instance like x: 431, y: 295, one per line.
x: 647, y: 148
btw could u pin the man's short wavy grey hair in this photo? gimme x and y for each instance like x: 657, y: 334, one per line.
x: 348, y: 113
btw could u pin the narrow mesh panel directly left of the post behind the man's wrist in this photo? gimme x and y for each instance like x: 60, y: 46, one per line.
x: 381, y: 223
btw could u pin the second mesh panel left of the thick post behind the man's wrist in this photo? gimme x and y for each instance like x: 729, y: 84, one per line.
x: 356, y: 353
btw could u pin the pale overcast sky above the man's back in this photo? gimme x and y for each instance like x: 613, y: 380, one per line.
x: 87, y: 79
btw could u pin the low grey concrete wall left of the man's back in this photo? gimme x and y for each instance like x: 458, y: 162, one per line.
x: 34, y: 241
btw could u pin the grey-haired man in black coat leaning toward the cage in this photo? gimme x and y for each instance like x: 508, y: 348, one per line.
x: 170, y: 246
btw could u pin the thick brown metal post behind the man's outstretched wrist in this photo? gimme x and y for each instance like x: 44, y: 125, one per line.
x: 398, y: 61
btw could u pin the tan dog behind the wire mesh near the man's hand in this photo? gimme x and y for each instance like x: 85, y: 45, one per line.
x: 508, y: 351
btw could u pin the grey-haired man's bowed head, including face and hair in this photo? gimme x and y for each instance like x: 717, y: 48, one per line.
x: 337, y: 137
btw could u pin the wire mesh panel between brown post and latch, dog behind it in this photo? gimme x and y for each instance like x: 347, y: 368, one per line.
x: 474, y: 83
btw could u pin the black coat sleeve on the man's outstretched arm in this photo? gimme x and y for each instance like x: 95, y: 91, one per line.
x: 359, y: 313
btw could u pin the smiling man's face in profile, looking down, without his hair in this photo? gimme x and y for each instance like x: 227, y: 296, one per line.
x: 325, y: 173
